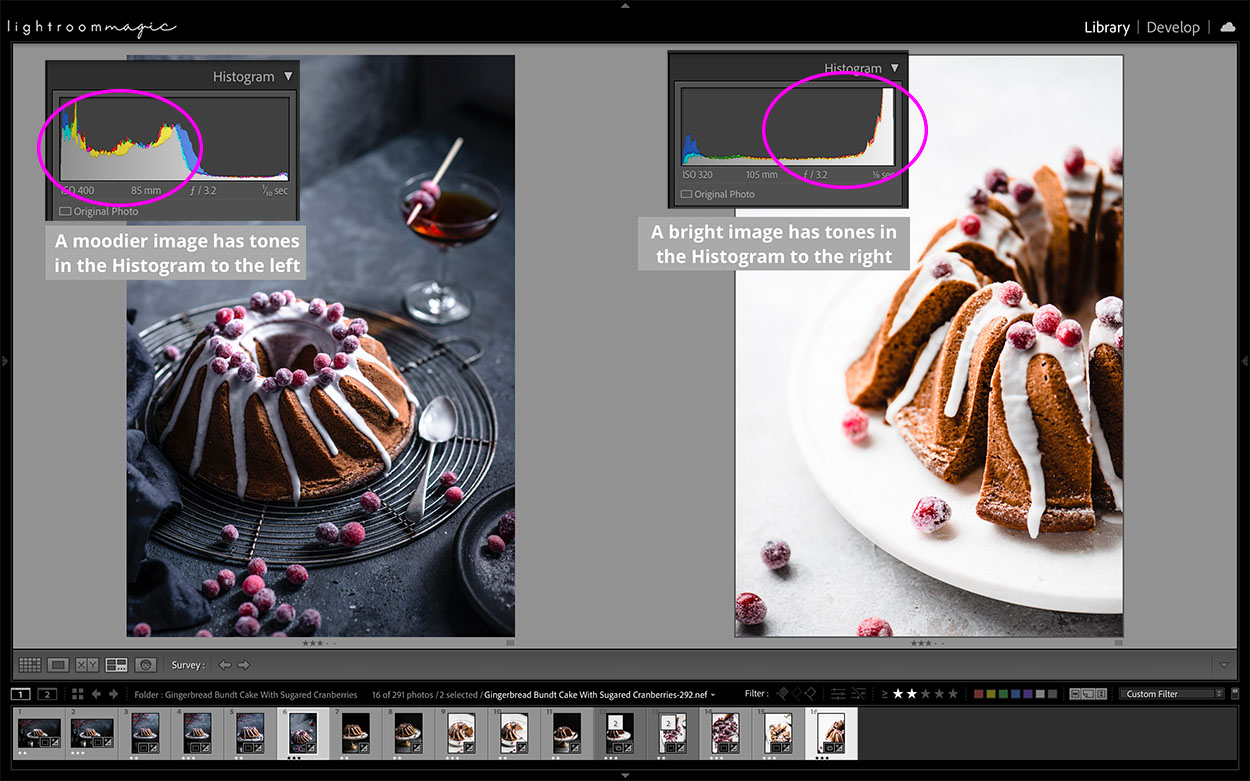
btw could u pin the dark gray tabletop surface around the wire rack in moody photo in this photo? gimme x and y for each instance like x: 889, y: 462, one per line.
x: 361, y: 253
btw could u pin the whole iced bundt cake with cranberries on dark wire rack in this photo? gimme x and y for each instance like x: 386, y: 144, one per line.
x: 286, y: 400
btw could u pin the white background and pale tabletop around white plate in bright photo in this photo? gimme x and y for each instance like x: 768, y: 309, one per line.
x: 1012, y: 113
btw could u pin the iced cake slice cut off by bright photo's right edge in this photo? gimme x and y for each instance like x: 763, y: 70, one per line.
x: 1107, y: 404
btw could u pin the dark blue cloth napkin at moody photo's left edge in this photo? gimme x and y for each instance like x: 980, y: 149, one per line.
x: 157, y: 594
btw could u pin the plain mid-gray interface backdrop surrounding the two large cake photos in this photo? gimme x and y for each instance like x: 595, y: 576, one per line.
x: 626, y: 460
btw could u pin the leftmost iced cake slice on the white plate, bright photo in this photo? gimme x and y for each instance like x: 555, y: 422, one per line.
x: 928, y: 298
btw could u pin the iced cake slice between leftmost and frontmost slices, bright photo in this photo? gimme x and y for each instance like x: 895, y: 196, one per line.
x: 942, y: 410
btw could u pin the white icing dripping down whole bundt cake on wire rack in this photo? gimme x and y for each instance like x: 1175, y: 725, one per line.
x: 287, y: 327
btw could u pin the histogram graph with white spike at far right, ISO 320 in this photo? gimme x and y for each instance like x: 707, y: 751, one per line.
x: 816, y: 126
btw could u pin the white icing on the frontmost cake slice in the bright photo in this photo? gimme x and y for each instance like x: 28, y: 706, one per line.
x: 1018, y: 412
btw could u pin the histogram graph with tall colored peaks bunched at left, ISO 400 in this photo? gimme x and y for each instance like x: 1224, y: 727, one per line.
x: 139, y: 139
